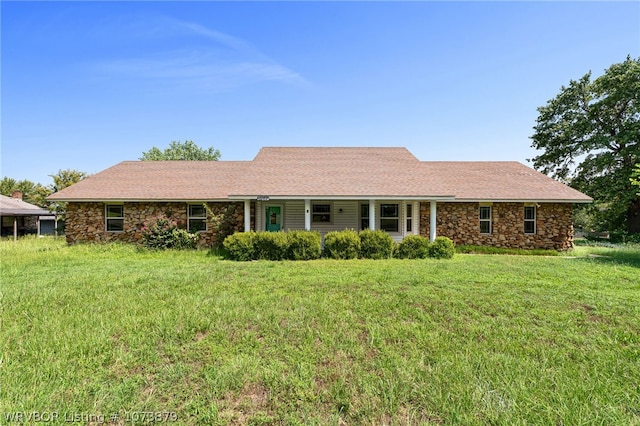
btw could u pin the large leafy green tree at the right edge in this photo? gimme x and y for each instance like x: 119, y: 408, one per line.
x: 589, y: 134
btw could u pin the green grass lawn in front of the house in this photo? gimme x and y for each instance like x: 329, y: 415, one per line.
x: 479, y: 339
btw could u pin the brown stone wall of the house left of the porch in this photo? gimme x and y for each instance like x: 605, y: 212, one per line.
x: 86, y: 221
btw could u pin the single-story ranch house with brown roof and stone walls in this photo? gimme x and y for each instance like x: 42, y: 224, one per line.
x: 503, y: 204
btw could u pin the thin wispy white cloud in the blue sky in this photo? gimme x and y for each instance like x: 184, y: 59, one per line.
x: 208, y: 60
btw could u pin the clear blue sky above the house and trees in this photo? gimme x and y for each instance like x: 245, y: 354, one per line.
x: 86, y: 85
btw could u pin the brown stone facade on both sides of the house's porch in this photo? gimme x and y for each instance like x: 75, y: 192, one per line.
x: 458, y: 221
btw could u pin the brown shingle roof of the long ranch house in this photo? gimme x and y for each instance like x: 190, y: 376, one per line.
x: 320, y: 172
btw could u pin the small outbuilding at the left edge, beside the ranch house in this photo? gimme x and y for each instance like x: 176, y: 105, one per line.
x: 21, y: 218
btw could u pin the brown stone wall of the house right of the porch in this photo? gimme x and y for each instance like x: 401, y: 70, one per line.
x: 461, y: 223
